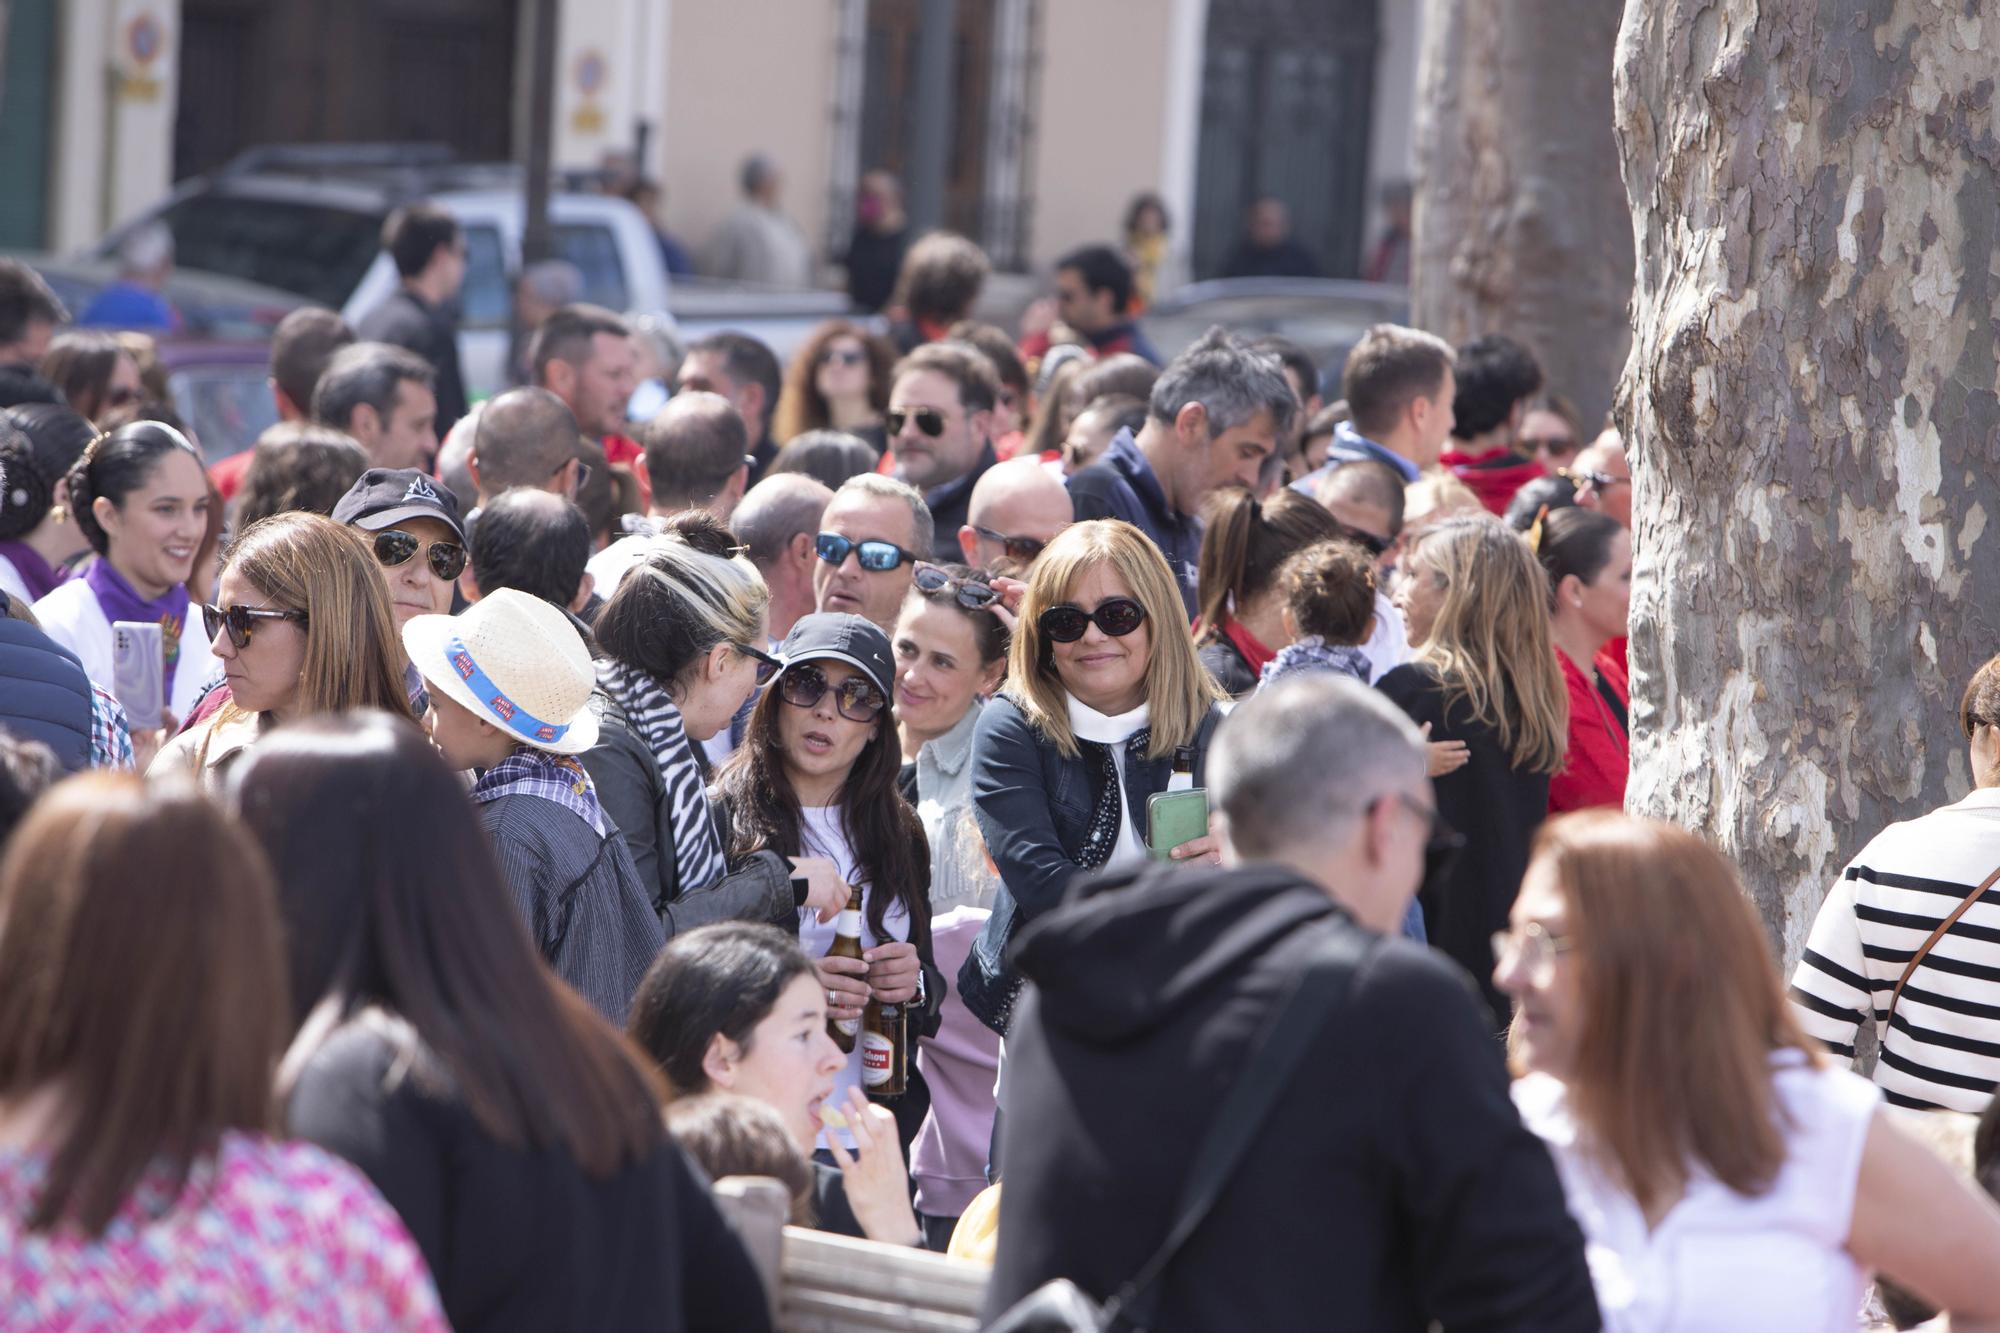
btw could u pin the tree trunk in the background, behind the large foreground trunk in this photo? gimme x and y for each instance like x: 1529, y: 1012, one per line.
x: 1521, y: 219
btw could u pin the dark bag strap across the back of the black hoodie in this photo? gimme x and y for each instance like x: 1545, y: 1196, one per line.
x: 1321, y: 986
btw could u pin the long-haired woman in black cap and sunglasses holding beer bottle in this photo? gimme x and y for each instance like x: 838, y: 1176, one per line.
x: 815, y: 780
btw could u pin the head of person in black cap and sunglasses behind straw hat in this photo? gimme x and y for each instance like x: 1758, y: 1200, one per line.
x: 413, y: 527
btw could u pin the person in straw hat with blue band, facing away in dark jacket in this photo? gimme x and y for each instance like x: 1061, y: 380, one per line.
x: 509, y: 700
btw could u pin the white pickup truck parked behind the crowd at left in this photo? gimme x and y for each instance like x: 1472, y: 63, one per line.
x: 309, y: 221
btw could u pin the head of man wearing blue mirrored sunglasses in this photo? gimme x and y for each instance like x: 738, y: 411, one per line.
x: 871, y: 539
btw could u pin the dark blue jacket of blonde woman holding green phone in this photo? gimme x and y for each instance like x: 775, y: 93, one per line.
x: 1033, y: 808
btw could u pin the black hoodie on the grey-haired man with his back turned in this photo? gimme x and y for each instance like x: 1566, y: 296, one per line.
x: 1391, y: 1186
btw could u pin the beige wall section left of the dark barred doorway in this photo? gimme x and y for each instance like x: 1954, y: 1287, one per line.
x: 747, y: 77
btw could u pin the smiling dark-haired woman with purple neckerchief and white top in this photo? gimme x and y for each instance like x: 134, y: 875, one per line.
x: 141, y: 499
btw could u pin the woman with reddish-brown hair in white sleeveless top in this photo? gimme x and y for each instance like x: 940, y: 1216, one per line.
x: 1723, y: 1174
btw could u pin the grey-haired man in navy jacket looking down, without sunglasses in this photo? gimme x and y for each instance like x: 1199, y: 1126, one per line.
x: 1217, y: 415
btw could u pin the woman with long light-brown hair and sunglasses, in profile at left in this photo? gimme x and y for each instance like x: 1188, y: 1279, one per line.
x: 301, y: 625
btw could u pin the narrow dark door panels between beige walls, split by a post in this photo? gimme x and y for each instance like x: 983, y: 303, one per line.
x: 889, y: 101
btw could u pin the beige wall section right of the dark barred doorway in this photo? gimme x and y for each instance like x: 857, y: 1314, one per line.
x: 1101, y: 131
